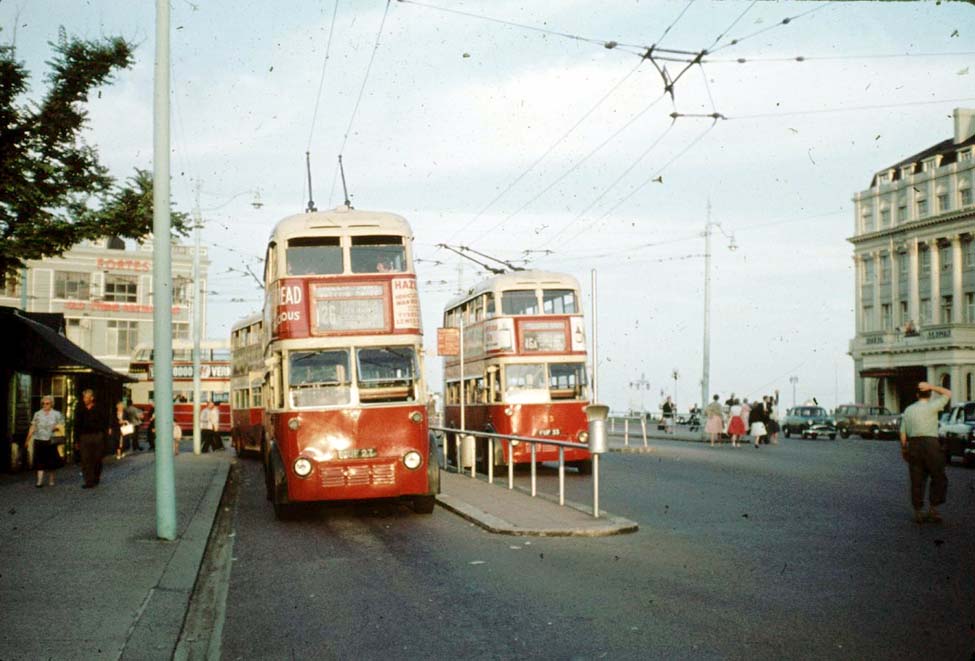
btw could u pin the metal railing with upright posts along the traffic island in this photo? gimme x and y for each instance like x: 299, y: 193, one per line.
x: 459, y: 434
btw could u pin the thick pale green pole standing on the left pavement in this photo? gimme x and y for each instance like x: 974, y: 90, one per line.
x: 162, y: 284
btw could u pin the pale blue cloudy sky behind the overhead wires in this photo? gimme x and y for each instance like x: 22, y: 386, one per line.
x: 457, y: 108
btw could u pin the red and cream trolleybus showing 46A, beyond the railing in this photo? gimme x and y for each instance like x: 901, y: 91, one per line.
x: 524, y: 366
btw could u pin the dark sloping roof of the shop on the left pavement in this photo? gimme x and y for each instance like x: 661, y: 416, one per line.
x: 31, y: 346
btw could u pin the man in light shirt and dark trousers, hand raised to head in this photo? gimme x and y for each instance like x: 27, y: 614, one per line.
x: 922, y: 450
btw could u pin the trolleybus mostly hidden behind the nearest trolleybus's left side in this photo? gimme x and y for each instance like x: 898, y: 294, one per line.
x: 246, y: 385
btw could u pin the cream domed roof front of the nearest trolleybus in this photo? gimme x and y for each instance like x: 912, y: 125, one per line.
x: 341, y: 221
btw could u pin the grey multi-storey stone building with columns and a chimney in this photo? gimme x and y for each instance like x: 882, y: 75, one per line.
x: 914, y: 259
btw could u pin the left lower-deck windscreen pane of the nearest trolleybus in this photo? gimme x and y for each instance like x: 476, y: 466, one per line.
x: 319, y: 378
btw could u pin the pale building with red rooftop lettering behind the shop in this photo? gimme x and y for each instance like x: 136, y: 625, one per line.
x: 104, y: 290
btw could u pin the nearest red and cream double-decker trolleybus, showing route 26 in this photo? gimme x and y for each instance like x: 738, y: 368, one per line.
x: 345, y: 415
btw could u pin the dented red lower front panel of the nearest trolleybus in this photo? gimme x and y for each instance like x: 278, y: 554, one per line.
x: 356, y: 453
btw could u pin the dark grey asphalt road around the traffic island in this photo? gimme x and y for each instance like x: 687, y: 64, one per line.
x: 802, y: 550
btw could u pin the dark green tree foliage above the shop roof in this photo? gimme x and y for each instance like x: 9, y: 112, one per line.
x: 54, y: 192
